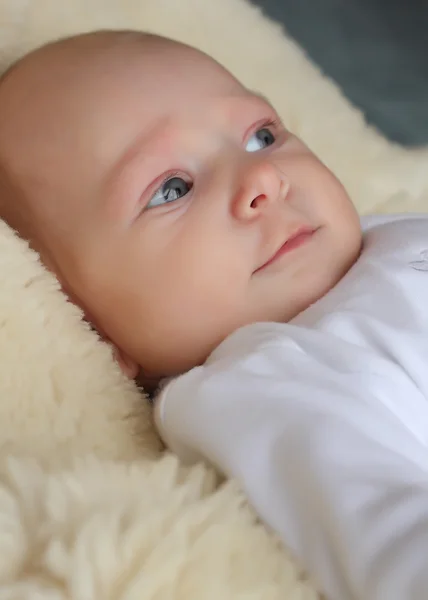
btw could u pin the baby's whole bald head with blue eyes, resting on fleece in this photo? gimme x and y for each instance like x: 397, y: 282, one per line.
x: 169, y: 200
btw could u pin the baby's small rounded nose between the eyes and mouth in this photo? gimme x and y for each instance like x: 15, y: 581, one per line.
x: 262, y: 185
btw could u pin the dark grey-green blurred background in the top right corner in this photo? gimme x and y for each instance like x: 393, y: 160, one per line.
x: 376, y: 50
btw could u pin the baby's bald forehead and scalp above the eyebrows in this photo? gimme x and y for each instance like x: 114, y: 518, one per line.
x: 79, y: 103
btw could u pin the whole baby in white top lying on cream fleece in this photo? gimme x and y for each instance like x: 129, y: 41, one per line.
x: 176, y: 209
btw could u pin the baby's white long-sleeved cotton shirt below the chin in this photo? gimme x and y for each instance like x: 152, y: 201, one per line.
x: 324, y: 420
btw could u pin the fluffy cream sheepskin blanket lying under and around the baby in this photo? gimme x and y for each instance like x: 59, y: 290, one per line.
x: 89, y: 508
